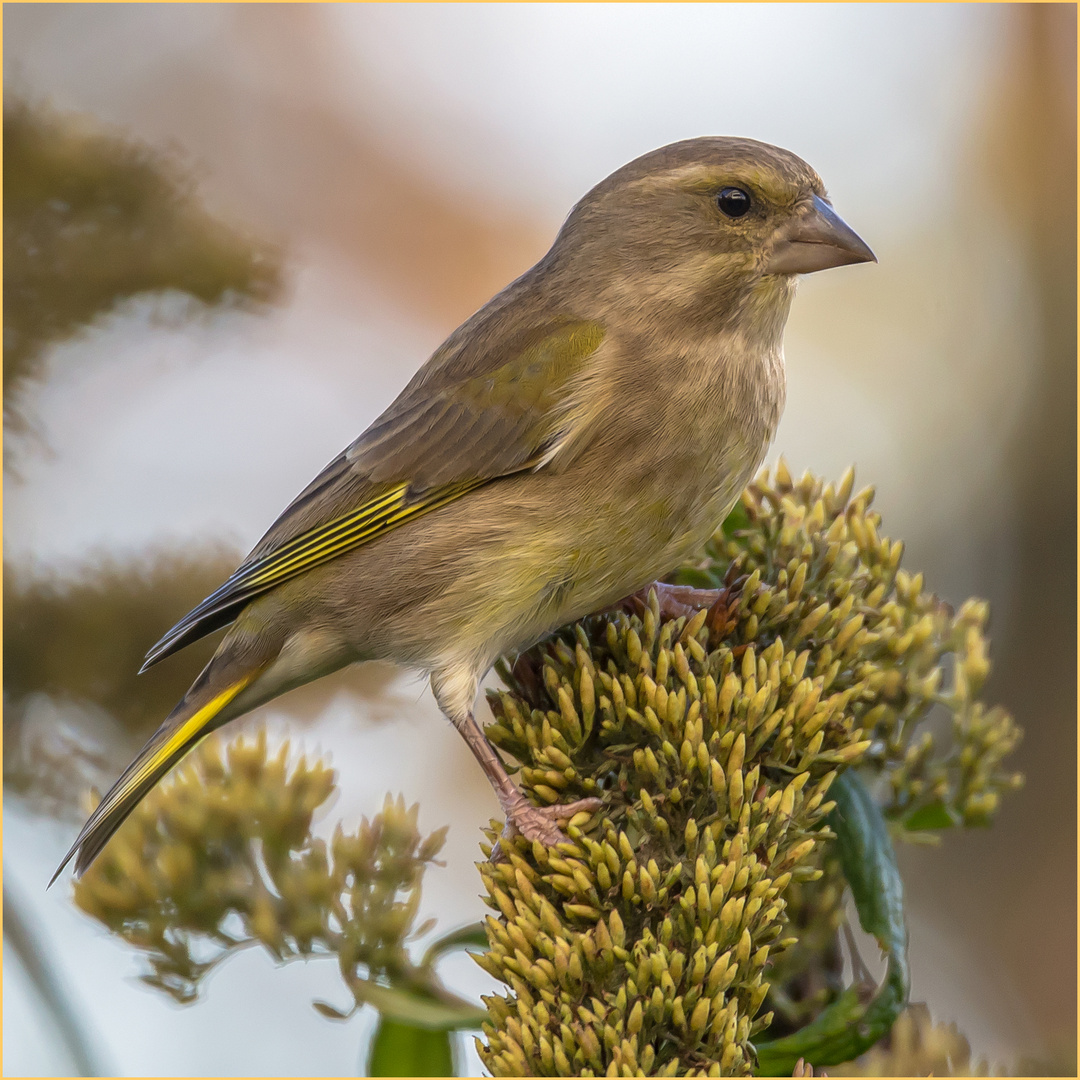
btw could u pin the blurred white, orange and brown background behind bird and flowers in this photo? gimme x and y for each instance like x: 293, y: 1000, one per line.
x: 360, y: 179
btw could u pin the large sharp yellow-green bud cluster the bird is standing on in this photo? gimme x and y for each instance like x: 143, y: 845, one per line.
x: 712, y: 724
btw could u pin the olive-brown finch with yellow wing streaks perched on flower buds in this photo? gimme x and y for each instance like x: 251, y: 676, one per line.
x: 575, y: 439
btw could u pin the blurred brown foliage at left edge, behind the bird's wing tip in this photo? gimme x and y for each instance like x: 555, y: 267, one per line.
x: 79, y: 640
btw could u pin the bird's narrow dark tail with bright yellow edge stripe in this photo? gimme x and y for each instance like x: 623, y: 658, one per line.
x: 195, y: 718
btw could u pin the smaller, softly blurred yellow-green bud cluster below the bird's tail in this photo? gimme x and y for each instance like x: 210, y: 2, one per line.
x: 222, y: 856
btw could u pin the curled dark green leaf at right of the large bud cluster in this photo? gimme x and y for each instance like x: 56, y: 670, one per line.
x: 849, y: 1028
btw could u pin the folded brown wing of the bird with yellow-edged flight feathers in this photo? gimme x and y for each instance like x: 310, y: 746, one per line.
x: 463, y: 423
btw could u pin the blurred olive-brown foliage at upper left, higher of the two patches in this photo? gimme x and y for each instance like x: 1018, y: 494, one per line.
x: 92, y: 219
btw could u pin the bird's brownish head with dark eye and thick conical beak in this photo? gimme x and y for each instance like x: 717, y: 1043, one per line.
x: 705, y: 231
